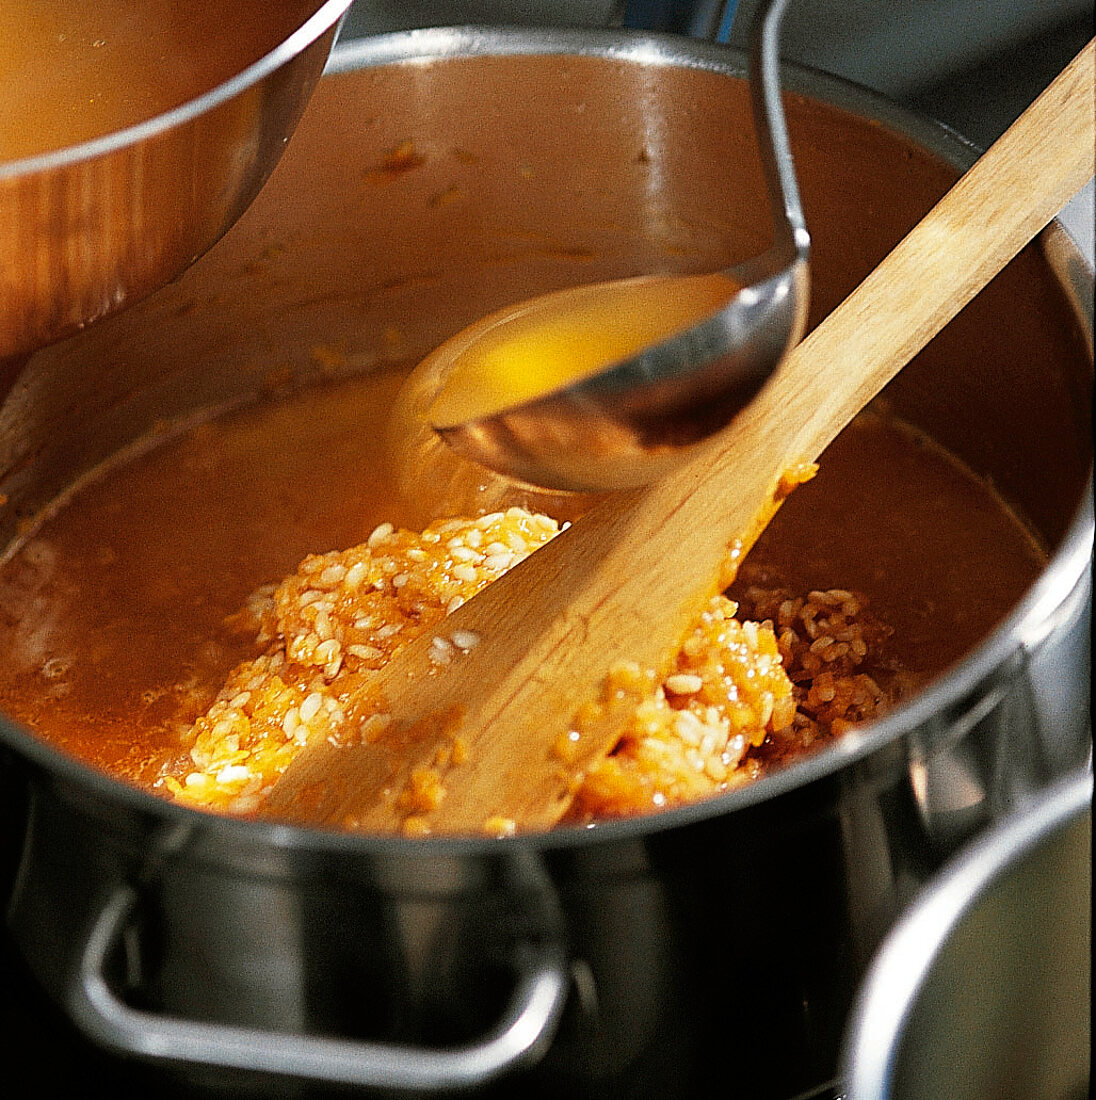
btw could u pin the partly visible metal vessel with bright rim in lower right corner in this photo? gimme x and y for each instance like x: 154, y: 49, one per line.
x: 983, y: 989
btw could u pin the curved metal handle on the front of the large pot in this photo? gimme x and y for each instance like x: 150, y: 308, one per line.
x: 523, y: 1033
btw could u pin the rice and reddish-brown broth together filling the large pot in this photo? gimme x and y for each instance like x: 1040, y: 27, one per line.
x: 154, y: 632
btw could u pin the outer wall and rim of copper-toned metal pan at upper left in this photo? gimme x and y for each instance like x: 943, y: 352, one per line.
x: 91, y: 229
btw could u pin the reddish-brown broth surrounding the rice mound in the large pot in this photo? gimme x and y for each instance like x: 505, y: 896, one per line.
x: 114, y: 633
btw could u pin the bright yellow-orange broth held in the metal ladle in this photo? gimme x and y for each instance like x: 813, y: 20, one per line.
x: 527, y: 351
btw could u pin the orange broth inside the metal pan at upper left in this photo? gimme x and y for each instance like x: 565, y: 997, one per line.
x: 72, y: 71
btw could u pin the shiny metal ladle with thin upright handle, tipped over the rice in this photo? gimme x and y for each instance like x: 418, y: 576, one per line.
x: 630, y: 423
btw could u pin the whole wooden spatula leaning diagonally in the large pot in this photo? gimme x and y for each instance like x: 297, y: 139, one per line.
x: 629, y: 579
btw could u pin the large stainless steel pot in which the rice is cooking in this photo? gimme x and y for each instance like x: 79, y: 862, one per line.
x: 713, y: 950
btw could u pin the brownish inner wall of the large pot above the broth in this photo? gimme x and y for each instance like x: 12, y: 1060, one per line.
x: 421, y: 194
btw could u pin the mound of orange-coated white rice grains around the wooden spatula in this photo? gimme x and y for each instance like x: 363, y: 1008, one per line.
x: 749, y: 688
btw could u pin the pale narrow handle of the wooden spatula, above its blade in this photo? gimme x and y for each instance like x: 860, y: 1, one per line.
x: 1014, y: 192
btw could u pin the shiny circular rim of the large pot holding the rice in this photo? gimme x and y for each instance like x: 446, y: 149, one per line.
x: 1023, y: 629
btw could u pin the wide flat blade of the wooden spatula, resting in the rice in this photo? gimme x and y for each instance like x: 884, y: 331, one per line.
x: 586, y: 607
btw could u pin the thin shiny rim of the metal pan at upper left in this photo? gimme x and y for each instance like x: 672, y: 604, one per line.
x: 326, y: 17
